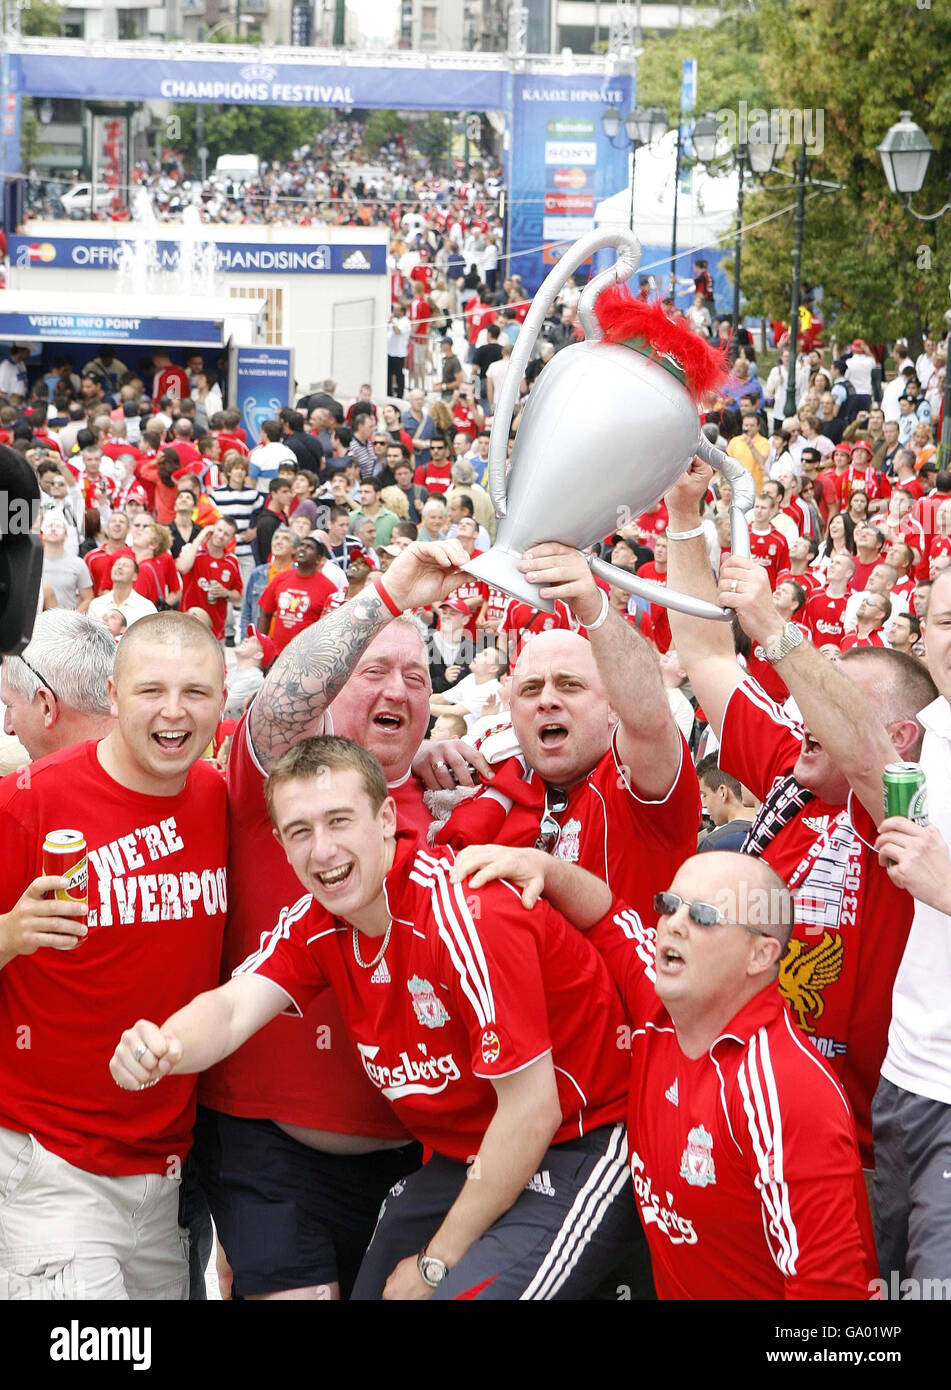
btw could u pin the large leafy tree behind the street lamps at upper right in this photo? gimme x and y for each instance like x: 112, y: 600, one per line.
x: 879, y: 269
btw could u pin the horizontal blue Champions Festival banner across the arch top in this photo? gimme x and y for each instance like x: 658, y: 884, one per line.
x: 262, y: 84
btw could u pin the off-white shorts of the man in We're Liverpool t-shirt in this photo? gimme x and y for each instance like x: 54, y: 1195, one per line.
x: 66, y: 1234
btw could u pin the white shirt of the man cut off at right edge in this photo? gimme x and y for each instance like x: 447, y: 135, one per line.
x: 920, y: 1039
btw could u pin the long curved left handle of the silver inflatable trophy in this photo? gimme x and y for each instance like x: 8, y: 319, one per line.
x: 629, y: 258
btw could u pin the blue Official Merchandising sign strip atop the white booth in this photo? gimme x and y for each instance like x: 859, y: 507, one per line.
x: 252, y: 258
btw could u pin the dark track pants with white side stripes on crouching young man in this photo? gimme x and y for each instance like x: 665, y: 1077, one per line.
x: 569, y: 1228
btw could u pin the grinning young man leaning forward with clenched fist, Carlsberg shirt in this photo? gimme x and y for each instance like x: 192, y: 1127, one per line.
x: 490, y: 1029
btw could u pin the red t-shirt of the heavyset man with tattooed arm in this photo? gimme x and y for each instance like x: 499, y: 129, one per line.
x: 297, y: 1075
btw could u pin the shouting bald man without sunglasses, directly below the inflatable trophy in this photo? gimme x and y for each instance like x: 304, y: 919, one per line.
x: 604, y: 778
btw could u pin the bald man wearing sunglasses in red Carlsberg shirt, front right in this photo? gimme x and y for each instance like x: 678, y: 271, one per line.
x: 742, y: 1143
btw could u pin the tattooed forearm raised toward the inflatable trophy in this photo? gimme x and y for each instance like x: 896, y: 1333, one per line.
x: 311, y: 673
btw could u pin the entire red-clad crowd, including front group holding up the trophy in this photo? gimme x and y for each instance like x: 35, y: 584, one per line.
x: 697, y: 976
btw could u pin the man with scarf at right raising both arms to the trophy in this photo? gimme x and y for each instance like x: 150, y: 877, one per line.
x: 821, y: 801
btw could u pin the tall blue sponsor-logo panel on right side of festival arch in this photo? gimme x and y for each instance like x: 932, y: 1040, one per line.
x: 562, y: 166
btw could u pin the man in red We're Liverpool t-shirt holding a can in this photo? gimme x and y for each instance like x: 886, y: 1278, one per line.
x: 90, y: 1175
